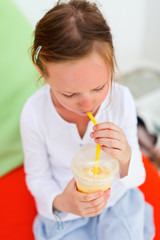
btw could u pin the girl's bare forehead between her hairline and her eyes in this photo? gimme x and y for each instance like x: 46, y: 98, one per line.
x: 89, y: 72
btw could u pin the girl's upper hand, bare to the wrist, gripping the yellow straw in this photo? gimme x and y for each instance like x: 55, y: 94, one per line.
x: 113, y: 142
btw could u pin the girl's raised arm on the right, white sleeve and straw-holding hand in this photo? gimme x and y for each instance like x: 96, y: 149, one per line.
x: 120, y: 140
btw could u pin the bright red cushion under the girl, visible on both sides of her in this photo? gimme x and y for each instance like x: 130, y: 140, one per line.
x: 17, y: 208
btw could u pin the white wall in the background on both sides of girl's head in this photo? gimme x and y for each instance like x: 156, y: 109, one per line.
x: 135, y: 26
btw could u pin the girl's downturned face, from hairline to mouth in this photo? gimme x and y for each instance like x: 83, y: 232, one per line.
x: 79, y: 86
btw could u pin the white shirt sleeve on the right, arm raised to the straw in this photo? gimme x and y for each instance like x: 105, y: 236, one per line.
x: 136, y: 173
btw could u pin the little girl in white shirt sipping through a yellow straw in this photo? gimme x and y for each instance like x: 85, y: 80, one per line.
x: 73, y: 51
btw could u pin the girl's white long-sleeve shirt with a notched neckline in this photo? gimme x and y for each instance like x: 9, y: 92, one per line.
x: 50, y: 143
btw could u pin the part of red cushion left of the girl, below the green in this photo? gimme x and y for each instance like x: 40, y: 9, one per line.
x: 17, y: 208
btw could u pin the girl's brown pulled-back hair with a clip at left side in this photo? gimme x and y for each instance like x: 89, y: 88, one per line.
x: 70, y: 31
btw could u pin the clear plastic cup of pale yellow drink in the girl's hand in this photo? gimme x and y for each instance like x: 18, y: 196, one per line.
x: 83, y: 166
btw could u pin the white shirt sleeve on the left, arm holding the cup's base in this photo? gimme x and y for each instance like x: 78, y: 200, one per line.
x: 39, y: 179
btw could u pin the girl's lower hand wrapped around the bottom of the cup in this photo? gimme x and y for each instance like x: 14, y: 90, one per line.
x: 82, y: 204
